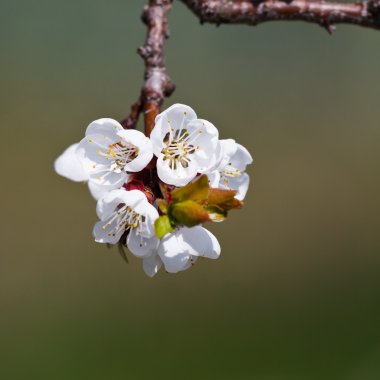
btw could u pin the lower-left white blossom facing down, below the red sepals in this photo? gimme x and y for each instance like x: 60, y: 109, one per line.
x: 121, y: 211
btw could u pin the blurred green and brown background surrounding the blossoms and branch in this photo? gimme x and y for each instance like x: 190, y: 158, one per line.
x: 296, y: 292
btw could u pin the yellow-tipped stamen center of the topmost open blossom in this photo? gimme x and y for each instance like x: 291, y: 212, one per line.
x: 178, y: 148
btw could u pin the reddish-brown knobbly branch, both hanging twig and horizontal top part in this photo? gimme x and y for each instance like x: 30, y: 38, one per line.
x: 158, y: 85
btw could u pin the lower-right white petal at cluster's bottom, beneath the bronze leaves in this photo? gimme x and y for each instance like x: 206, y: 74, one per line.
x: 201, y: 242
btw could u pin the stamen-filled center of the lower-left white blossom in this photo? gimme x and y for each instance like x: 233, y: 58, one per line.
x: 123, y: 219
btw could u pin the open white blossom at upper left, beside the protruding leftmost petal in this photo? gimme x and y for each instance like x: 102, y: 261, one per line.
x: 109, y: 152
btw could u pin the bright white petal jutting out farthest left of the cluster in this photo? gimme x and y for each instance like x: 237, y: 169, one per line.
x: 69, y: 165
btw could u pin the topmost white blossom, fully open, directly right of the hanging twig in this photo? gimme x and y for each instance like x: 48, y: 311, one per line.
x: 184, y: 145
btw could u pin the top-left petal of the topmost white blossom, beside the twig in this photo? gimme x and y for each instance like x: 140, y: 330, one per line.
x: 174, y: 117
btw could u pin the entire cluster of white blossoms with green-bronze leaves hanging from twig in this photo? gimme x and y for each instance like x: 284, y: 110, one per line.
x: 154, y: 193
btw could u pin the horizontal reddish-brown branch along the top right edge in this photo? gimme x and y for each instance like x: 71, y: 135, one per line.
x: 252, y: 12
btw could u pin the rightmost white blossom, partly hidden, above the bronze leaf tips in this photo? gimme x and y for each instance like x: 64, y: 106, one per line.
x: 230, y: 174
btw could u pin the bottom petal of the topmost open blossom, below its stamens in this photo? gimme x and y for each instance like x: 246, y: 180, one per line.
x: 179, y: 176
